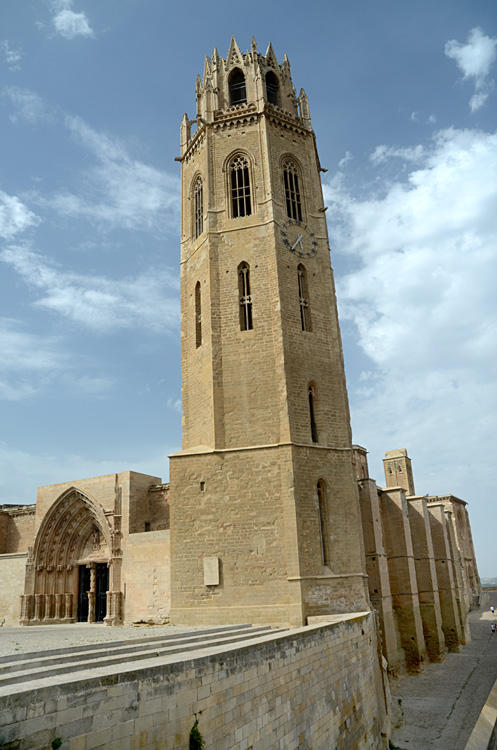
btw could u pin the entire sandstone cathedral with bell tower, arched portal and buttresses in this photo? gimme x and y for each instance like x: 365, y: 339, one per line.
x: 270, y: 515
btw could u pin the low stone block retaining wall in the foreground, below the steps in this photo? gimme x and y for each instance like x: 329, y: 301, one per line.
x: 317, y: 687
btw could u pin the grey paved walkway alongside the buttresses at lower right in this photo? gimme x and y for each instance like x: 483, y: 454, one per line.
x: 442, y: 705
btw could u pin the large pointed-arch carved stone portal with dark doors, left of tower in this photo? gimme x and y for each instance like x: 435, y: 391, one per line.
x: 74, y: 535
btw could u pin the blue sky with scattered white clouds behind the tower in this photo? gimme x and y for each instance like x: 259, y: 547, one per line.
x: 403, y: 101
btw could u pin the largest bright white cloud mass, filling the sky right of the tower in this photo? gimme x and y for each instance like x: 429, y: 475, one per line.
x: 422, y: 299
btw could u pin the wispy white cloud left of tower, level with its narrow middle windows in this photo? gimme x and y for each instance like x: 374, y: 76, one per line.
x: 101, y: 304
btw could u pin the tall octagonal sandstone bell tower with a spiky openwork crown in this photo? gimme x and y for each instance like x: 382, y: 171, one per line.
x: 265, y: 524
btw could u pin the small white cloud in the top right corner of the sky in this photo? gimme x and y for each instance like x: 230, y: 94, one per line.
x: 475, y: 60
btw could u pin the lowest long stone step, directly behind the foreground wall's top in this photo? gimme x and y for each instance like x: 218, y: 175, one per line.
x: 148, y: 651
